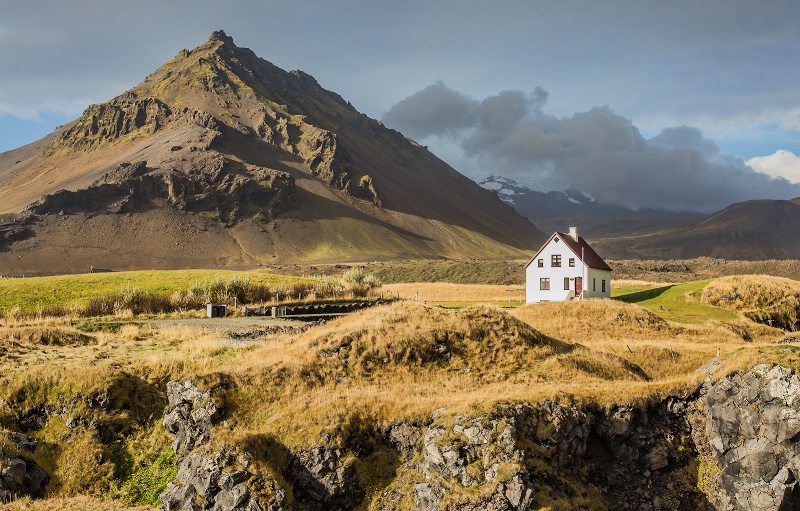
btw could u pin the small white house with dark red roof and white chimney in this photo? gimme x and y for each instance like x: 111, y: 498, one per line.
x: 566, y: 267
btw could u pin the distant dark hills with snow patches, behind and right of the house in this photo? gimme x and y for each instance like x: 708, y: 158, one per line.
x: 751, y: 230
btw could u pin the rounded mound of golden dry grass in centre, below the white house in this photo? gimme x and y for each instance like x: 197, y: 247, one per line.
x: 411, y: 337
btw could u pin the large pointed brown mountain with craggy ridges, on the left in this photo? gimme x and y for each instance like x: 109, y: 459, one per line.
x: 221, y: 158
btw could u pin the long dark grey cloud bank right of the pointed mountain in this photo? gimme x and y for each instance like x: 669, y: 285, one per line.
x: 597, y: 152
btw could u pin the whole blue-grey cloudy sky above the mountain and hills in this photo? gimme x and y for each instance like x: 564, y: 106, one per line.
x: 686, y: 104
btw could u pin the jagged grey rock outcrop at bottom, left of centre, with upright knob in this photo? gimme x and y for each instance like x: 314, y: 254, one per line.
x: 220, y: 478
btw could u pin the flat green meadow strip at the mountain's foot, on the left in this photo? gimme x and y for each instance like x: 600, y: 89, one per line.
x: 34, y: 293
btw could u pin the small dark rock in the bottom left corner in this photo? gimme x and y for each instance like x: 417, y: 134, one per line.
x: 20, y: 476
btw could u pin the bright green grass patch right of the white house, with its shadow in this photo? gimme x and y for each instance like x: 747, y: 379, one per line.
x: 675, y: 302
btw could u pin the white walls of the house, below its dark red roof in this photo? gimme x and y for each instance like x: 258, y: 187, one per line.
x: 533, y: 274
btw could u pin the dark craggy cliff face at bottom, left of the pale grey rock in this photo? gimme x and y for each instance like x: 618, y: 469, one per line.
x: 512, y: 460
